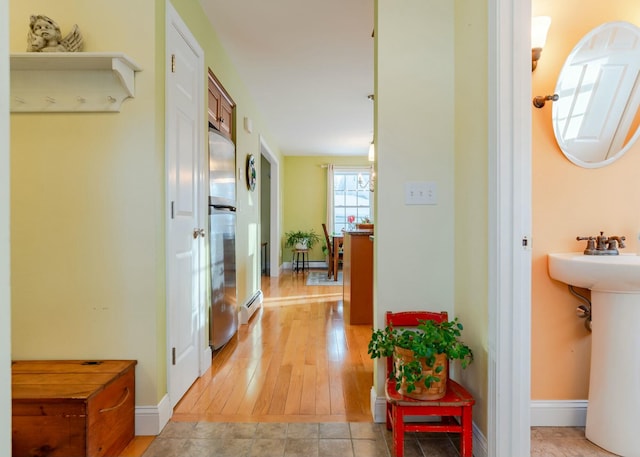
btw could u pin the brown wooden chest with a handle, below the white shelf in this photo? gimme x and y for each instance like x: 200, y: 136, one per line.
x: 72, y: 408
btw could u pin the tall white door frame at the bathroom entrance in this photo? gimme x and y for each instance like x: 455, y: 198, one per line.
x: 510, y: 208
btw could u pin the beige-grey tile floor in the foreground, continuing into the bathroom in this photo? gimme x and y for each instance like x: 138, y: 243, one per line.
x: 355, y: 439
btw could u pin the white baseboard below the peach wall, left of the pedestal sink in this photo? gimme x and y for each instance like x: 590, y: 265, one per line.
x: 559, y: 413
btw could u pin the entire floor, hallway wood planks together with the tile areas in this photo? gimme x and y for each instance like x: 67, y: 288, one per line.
x: 296, y: 382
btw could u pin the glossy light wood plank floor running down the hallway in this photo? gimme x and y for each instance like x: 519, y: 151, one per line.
x: 296, y: 361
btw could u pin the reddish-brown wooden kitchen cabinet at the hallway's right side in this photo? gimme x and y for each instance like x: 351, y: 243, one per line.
x: 357, y: 273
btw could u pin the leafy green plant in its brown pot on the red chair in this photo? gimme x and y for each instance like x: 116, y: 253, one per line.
x: 420, y: 356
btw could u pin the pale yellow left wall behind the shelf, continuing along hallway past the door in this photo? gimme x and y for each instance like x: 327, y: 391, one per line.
x: 87, y: 195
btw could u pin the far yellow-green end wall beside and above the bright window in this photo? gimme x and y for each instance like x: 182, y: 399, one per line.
x: 305, y: 196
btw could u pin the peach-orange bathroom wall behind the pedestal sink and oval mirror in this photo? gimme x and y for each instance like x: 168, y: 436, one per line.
x: 569, y: 201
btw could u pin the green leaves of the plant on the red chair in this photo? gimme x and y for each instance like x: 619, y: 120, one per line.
x: 426, y: 340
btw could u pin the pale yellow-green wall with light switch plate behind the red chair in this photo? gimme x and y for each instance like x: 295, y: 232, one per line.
x: 431, y: 125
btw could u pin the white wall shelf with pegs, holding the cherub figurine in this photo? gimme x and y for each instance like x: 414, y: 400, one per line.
x: 71, y: 81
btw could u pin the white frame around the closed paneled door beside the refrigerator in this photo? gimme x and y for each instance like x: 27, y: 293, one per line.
x: 204, y: 350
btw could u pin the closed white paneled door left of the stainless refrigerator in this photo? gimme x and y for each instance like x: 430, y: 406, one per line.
x: 185, y: 236
